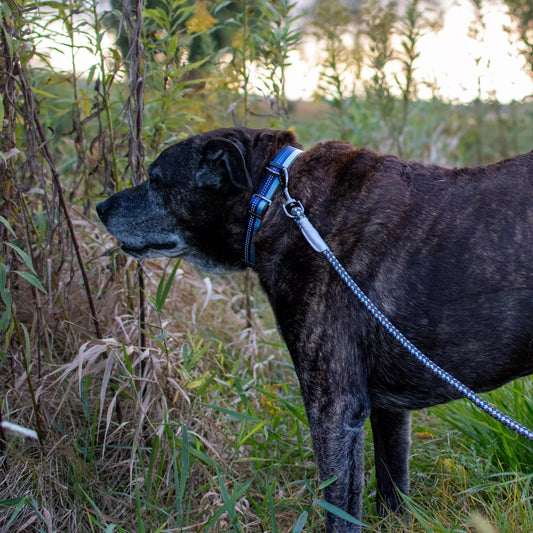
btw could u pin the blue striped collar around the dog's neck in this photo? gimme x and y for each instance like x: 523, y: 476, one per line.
x: 261, y: 200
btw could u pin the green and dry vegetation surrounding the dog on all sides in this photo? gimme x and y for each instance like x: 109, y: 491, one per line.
x: 164, y: 400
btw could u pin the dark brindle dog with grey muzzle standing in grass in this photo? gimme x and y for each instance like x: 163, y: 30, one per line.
x: 446, y: 254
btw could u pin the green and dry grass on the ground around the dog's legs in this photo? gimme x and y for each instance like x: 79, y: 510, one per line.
x: 212, y: 436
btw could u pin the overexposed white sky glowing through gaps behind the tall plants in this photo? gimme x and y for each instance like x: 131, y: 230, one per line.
x: 456, y: 64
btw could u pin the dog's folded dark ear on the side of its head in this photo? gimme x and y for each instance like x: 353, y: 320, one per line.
x: 222, y: 159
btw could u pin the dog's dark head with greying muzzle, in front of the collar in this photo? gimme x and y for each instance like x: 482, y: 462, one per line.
x: 195, y: 200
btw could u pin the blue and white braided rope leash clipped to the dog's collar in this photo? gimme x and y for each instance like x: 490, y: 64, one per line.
x: 294, y: 209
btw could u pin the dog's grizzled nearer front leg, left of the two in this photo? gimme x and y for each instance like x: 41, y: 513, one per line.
x: 336, y: 418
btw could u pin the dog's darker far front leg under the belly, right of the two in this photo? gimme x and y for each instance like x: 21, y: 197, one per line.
x: 392, y: 441
